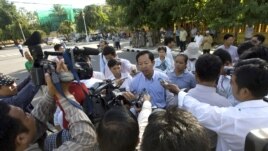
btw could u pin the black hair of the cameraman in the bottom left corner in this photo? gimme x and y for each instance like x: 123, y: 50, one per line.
x: 9, y: 128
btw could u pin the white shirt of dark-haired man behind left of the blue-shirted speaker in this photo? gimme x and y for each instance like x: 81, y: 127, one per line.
x: 126, y: 67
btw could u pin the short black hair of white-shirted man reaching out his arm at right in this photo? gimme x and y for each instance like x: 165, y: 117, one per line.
x: 253, y: 75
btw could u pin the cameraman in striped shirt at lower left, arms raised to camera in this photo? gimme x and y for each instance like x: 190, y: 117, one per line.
x: 19, y: 129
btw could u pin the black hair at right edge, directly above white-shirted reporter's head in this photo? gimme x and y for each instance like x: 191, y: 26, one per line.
x: 256, y: 52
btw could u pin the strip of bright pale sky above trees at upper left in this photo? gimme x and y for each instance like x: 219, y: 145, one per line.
x: 33, y: 5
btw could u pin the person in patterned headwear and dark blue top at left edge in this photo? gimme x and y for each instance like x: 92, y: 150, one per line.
x: 18, y: 95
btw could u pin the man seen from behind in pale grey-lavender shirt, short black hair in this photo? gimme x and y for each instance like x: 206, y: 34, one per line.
x: 208, y: 69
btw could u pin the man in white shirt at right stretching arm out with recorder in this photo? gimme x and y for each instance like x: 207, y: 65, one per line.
x: 232, y: 124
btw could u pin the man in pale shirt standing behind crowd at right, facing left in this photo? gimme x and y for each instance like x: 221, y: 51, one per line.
x: 228, y: 46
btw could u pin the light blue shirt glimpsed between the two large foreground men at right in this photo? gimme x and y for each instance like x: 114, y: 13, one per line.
x: 224, y: 89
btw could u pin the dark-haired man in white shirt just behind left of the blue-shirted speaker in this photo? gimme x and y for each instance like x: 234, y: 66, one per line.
x: 126, y: 67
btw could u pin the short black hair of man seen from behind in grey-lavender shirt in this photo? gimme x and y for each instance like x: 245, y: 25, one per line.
x: 208, y: 67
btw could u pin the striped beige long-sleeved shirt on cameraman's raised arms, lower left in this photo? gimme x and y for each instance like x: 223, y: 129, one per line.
x: 80, y: 127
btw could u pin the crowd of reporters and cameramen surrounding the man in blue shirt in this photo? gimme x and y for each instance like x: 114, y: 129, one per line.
x: 193, y: 101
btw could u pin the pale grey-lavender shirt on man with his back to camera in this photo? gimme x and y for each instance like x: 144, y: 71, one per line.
x: 209, y: 95
